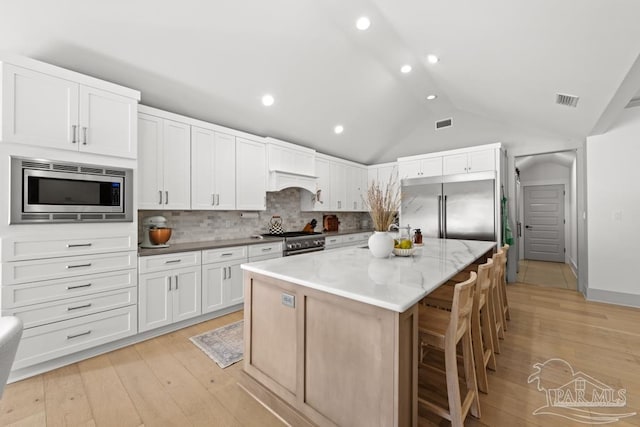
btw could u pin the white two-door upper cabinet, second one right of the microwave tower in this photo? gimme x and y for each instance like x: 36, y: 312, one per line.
x: 213, y: 170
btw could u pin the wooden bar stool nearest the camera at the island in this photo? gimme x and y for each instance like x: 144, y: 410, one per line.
x: 443, y: 330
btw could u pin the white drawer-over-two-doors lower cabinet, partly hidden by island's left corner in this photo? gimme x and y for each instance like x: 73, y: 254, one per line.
x: 222, y: 284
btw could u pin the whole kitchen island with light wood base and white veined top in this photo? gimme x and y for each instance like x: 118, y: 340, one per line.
x: 331, y: 338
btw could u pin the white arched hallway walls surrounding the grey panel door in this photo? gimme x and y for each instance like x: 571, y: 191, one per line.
x: 548, y: 174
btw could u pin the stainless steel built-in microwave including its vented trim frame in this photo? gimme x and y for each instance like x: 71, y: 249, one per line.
x: 52, y: 191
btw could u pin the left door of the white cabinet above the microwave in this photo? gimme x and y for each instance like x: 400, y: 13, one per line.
x: 39, y: 109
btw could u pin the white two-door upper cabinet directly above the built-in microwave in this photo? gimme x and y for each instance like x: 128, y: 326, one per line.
x: 54, y: 112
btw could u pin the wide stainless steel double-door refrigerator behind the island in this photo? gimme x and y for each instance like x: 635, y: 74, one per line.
x: 455, y: 207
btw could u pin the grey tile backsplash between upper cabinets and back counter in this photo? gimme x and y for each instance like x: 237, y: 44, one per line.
x: 198, y: 226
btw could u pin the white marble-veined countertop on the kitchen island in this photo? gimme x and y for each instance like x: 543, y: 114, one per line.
x: 394, y: 283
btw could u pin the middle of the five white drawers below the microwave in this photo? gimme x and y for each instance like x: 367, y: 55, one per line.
x: 53, y: 290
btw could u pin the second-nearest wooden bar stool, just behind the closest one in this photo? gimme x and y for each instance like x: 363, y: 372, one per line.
x: 482, y: 318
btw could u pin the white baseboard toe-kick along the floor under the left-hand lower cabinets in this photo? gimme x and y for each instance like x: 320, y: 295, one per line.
x: 49, y: 365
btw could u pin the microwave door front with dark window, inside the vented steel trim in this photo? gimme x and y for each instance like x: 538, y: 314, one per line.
x: 50, y: 191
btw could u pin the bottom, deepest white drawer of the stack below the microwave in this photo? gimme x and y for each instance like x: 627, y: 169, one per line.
x: 48, y: 342
